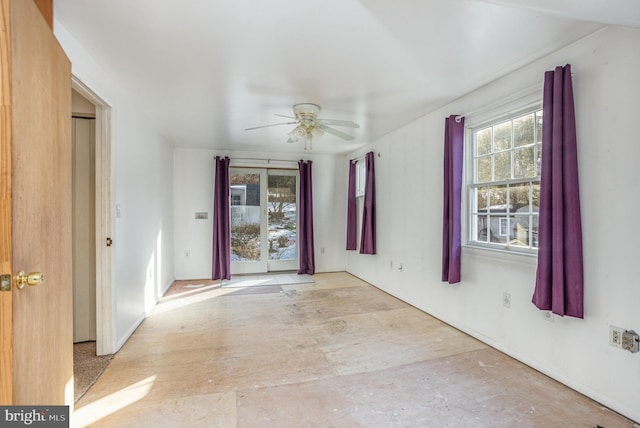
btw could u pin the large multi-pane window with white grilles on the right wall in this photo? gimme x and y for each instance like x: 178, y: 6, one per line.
x: 504, y: 184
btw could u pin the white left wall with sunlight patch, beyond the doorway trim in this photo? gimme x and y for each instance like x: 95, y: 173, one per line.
x: 142, y: 183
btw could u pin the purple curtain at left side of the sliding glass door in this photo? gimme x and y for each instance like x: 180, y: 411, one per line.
x: 221, y: 260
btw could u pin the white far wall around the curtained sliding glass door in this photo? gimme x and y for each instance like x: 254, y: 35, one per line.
x: 193, y: 192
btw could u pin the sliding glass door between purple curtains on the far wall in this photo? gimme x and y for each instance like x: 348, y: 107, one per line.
x: 264, y: 220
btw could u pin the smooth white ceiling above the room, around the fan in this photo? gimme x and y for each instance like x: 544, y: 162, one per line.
x: 205, y: 70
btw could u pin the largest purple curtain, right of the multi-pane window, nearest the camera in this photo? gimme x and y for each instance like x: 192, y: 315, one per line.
x: 559, y: 277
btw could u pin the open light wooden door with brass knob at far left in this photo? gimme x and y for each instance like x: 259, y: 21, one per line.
x: 36, y: 359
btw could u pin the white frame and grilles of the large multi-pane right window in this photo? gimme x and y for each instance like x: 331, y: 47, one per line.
x: 515, y: 108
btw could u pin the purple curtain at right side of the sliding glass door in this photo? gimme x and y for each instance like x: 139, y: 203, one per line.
x: 307, y: 257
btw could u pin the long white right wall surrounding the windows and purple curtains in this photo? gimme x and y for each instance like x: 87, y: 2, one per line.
x: 409, y: 183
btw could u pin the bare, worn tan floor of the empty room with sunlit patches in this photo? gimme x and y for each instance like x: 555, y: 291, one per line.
x: 334, y: 353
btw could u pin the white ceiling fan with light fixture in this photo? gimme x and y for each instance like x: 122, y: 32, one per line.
x: 310, y: 126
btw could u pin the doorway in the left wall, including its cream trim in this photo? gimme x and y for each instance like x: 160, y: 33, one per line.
x: 92, y: 224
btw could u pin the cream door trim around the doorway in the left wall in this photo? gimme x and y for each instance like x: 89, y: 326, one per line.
x: 104, y: 220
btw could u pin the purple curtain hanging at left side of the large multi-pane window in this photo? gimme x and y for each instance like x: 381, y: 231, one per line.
x: 453, y: 151
